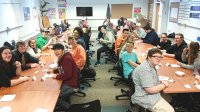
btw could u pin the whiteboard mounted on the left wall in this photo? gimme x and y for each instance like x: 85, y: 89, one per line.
x: 10, y: 15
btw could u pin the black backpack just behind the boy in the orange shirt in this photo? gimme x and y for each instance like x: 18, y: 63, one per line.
x: 88, y: 72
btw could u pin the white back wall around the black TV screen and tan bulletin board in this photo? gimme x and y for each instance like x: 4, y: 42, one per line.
x: 99, y: 10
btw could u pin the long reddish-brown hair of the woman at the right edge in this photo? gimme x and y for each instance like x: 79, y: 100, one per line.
x: 193, y: 52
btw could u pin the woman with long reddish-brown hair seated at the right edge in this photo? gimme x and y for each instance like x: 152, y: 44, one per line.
x: 191, y: 56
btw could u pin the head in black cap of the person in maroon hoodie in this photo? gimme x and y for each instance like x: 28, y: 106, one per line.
x: 58, y: 50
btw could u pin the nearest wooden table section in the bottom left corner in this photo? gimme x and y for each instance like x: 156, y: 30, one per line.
x: 29, y: 101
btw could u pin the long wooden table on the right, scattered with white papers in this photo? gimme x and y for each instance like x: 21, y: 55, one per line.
x: 178, y: 86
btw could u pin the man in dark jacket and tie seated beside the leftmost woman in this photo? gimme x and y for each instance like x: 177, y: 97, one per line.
x: 24, y: 58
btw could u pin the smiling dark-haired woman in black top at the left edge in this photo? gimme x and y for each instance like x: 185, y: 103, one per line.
x: 9, y: 68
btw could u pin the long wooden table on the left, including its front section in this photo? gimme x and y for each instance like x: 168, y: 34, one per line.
x: 31, y: 95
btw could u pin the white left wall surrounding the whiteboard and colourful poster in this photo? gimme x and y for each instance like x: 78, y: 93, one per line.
x: 29, y: 28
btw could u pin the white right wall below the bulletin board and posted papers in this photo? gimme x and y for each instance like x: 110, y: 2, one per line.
x: 190, y: 33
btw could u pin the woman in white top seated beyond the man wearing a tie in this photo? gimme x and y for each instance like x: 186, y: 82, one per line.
x: 32, y: 49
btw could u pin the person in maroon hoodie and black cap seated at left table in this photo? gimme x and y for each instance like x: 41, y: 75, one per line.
x: 66, y: 71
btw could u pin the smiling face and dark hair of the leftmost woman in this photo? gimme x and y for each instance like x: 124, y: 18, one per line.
x: 6, y: 54
